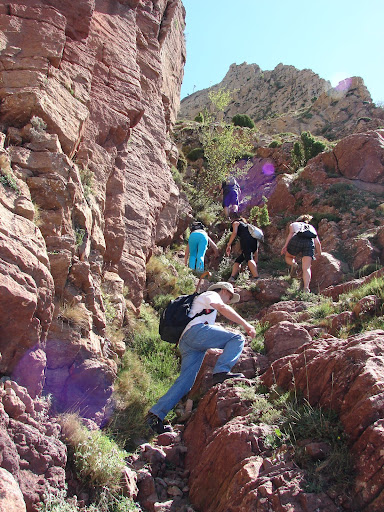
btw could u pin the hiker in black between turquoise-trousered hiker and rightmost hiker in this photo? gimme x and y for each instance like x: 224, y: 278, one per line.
x: 249, y: 249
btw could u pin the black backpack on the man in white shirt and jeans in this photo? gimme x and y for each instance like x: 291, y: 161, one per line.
x: 174, y: 318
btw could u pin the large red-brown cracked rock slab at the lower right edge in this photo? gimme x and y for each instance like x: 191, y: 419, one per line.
x: 346, y: 376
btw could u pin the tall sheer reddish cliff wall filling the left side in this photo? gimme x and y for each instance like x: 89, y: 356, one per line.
x: 89, y: 91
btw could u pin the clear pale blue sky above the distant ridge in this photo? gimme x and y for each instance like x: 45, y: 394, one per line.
x: 335, y: 38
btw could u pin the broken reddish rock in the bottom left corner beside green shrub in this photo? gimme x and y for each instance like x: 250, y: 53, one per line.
x: 31, y: 450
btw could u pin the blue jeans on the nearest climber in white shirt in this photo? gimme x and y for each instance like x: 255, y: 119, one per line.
x: 193, y: 346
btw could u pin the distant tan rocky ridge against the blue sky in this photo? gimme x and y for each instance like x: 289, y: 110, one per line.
x: 290, y: 100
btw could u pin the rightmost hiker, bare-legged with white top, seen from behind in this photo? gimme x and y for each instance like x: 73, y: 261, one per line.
x: 302, y: 239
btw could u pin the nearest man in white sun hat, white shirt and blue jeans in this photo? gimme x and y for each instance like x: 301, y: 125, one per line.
x: 200, y: 335
